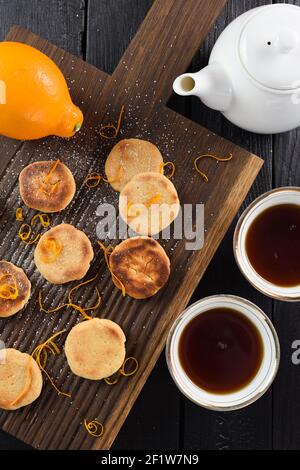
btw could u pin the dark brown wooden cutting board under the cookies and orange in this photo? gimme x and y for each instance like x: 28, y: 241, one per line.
x: 162, y: 49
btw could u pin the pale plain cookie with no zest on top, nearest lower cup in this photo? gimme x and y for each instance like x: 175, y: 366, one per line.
x: 95, y: 349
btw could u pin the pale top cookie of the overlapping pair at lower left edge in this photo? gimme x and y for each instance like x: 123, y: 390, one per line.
x: 15, y: 377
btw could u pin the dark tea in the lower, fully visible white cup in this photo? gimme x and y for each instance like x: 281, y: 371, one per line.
x: 221, y: 350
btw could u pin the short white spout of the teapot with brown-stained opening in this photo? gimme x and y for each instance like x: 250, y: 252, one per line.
x: 211, y: 85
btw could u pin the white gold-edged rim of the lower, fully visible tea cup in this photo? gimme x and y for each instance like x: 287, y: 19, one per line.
x: 262, y: 380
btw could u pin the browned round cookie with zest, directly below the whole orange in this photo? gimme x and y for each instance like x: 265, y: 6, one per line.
x: 47, y: 186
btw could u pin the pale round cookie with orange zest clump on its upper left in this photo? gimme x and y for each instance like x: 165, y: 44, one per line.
x: 63, y: 254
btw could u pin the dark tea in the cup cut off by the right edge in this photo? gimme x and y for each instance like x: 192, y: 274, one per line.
x: 273, y: 245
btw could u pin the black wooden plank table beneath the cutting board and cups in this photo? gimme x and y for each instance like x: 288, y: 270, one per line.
x: 99, y: 31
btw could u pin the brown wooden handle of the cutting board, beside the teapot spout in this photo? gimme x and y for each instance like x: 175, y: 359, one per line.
x: 165, y: 44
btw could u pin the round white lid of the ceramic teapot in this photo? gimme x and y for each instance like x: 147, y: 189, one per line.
x: 269, y: 46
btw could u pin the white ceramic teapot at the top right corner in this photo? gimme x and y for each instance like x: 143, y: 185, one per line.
x: 253, y: 75
